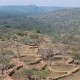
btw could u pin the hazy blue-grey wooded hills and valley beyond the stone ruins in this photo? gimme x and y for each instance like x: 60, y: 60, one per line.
x: 61, y: 23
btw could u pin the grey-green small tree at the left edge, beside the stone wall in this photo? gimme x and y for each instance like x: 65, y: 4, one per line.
x: 5, y: 58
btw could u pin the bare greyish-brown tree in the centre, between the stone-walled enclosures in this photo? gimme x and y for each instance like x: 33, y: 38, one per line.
x: 45, y: 50
